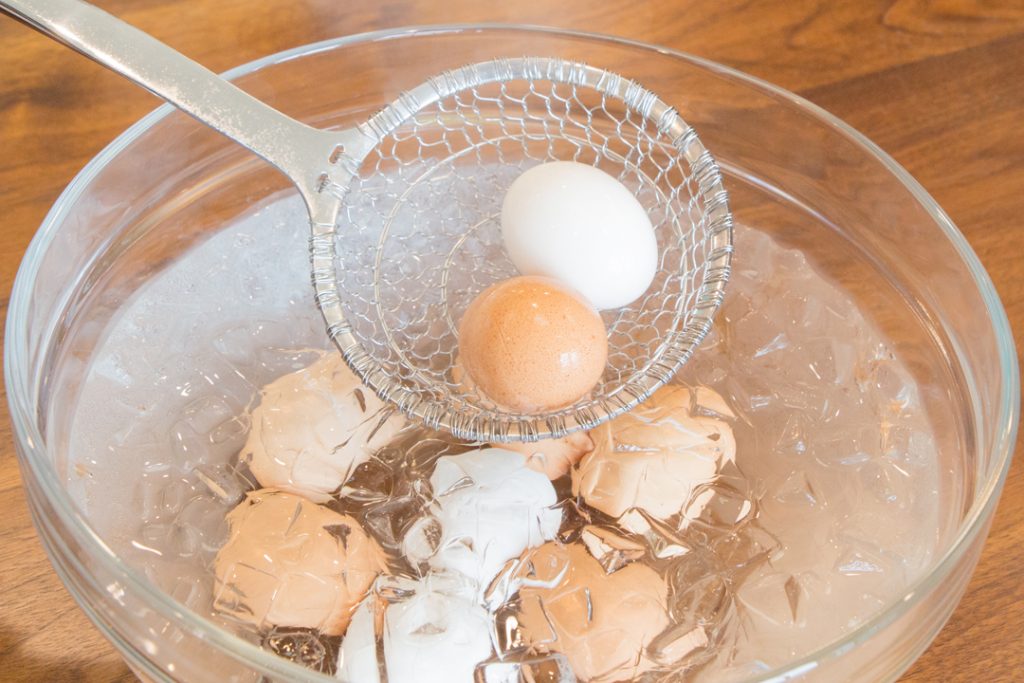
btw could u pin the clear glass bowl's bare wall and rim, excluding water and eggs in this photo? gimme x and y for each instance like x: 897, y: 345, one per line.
x: 167, y: 186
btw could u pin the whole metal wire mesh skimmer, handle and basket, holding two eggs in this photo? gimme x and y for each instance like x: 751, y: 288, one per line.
x: 405, y: 211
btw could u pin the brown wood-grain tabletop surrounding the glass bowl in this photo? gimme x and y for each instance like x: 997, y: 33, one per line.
x: 953, y: 74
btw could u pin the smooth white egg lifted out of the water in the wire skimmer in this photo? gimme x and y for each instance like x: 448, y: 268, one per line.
x: 580, y: 226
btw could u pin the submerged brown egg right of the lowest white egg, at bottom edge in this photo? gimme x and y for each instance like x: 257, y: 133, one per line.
x: 602, y: 623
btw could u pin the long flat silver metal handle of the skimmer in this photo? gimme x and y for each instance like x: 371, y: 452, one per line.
x: 294, y: 148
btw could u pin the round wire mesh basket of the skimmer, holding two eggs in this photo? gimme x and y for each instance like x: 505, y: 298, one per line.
x: 418, y: 235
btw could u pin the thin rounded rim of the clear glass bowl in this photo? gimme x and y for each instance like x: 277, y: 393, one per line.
x: 36, y: 464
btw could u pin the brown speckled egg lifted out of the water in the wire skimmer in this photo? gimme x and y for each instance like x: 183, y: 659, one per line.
x: 532, y: 345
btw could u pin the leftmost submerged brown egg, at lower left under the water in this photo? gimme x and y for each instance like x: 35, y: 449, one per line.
x: 291, y: 563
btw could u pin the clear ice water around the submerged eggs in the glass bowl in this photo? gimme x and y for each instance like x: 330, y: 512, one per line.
x: 832, y: 510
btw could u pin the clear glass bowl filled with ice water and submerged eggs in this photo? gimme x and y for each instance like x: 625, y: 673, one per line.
x: 805, y: 501
